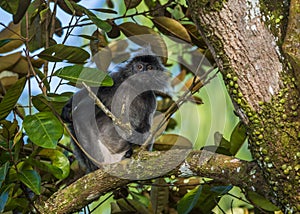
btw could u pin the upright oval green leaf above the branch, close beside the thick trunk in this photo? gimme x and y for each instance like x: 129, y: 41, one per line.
x: 238, y: 137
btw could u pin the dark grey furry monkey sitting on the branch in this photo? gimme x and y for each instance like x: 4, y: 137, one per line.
x: 131, y: 99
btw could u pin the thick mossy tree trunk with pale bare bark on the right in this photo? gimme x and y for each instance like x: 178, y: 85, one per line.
x: 261, y: 85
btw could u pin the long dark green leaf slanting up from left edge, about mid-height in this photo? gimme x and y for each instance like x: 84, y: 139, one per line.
x: 11, y: 98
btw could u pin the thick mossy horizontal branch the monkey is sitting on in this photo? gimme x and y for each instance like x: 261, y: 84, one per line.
x: 223, y: 169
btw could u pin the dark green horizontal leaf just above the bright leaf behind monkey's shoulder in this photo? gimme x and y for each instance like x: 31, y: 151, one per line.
x: 59, y: 53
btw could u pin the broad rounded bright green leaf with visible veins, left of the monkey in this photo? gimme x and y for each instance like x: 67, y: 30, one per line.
x: 43, y: 129
